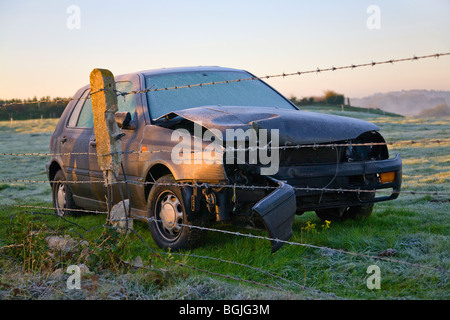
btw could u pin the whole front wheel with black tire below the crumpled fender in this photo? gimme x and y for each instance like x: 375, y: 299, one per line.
x: 168, y: 222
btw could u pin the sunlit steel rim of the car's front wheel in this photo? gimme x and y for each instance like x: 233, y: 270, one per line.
x: 169, y: 215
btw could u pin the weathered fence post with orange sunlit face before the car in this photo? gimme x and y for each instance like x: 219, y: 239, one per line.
x: 107, y: 132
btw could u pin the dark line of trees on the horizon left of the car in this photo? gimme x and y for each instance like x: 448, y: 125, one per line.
x: 32, y: 108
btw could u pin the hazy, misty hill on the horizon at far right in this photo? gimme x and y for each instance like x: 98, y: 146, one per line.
x: 405, y: 102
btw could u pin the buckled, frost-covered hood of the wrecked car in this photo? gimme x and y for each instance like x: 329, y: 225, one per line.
x: 295, y: 126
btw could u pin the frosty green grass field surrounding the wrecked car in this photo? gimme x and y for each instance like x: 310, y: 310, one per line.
x: 416, y: 226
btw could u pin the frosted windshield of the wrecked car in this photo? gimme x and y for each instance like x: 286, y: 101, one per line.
x: 242, y: 93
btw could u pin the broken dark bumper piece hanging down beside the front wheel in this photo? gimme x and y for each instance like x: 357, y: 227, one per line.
x: 277, y: 211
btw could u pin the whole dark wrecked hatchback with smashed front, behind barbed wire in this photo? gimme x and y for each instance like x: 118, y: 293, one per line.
x: 304, y: 161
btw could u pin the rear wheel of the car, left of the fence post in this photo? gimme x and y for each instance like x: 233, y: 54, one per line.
x: 62, y: 195
